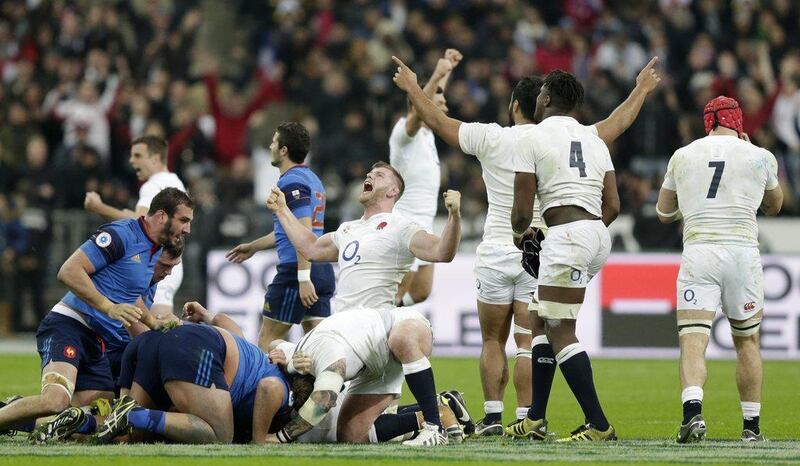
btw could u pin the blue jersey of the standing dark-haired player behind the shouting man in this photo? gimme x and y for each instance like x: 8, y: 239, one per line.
x: 305, y: 196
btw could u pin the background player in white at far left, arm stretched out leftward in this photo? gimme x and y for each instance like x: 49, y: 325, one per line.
x: 149, y: 161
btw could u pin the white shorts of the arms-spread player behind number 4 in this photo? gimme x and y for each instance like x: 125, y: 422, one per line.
x: 499, y: 276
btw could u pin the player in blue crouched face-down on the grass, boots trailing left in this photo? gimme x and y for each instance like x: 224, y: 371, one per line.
x: 223, y: 388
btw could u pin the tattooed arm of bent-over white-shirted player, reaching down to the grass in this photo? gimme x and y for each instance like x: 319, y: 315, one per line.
x: 326, y: 390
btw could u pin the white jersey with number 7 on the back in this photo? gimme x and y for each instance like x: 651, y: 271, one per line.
x: 720, y: 181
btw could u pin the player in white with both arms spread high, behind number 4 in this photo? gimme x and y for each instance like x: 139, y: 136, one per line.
x: 504, y: 289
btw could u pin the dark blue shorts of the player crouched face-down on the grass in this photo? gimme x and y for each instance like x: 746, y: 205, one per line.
x: 193, y: 353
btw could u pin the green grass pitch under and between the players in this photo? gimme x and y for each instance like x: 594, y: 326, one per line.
x: 641, y: 399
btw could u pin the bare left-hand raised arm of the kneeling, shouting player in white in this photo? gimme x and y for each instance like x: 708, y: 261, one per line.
x: 304, y: 240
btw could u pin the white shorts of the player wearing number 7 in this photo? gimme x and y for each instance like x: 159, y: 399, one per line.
x: 716, y: 277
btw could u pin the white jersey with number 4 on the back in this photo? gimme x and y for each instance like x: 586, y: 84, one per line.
x: 570, y: 162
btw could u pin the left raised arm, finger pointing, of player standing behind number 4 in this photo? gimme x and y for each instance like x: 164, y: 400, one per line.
x: 444, y: 126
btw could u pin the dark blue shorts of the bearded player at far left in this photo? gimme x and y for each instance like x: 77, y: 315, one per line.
x: 64, y: 339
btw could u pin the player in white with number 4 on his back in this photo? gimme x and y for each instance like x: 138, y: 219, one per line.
x: 569, y: 168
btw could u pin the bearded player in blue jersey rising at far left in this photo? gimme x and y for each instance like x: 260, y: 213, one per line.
x: 81, y: 340
